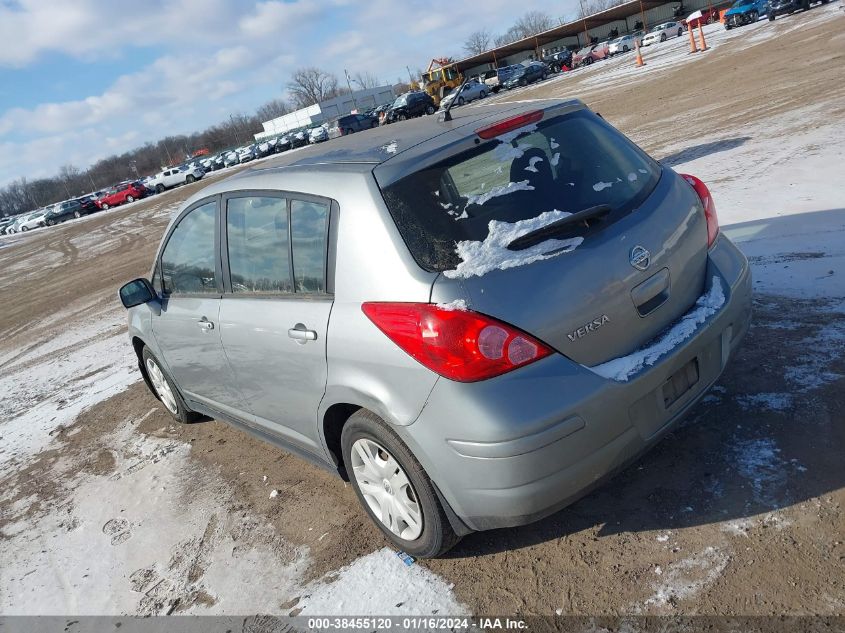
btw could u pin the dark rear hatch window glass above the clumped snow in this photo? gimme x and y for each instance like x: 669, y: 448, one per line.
x: 568, y: 163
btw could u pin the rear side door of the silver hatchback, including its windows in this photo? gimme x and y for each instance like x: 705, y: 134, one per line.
x: 274, y: 314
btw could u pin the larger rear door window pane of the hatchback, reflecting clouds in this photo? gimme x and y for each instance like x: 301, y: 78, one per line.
x: 259, y: 252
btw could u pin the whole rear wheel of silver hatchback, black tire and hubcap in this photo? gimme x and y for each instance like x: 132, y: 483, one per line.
x: 365, y: 431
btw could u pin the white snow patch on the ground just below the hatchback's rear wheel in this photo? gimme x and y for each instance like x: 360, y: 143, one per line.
x: 381, y: 584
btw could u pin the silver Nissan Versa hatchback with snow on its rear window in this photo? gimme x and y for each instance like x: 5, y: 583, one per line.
x: 473, y: 320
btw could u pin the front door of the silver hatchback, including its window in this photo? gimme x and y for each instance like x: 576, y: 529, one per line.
x: 186, y: 328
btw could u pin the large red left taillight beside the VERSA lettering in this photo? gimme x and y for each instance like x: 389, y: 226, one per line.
x: 457, y: 344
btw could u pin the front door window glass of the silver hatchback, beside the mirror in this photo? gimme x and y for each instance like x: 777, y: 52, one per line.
x: 187, y: 262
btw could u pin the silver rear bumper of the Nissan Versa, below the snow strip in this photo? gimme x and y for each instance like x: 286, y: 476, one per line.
x: 514, y: 449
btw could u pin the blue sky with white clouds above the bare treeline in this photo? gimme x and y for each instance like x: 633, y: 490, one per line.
x: 84, y: 79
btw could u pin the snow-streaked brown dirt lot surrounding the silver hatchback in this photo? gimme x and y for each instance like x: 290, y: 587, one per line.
x: 105, y: 507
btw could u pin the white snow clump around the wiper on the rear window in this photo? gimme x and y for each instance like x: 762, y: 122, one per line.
x: 479, y: 258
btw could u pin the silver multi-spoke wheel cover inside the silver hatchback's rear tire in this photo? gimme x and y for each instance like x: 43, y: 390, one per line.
x: 386, y: 489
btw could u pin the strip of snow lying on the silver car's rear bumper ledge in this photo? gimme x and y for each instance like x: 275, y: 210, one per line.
x: 621, y: 369
